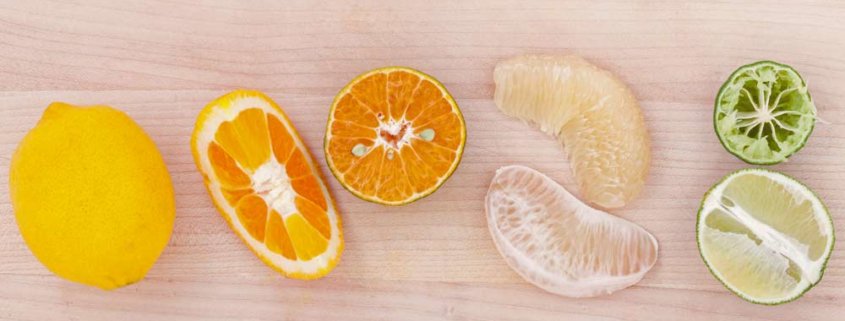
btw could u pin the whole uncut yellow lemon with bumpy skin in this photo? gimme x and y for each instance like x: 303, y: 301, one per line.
x: 92, y: 195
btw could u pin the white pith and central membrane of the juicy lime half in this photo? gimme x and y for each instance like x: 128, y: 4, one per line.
x: 771, y: 239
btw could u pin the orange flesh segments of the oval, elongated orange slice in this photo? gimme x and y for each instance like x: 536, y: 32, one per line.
x: 245, y: 144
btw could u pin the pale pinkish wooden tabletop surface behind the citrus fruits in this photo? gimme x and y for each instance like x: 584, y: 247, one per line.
x: 161, y: 61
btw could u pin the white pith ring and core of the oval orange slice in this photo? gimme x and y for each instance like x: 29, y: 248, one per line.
x: 277, y: 185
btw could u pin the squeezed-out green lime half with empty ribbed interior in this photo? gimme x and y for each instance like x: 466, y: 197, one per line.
x: 764, y: 113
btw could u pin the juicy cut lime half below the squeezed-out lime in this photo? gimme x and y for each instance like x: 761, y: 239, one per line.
x: 764, y: 235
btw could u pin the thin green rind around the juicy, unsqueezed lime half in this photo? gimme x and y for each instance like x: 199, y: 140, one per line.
x: 796, y: 184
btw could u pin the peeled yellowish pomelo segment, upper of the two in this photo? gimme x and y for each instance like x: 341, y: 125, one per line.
x: 593, y: 114
